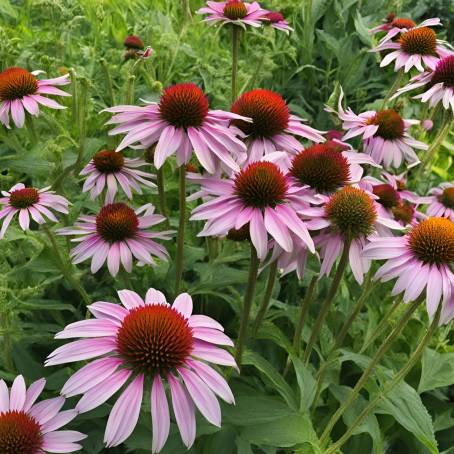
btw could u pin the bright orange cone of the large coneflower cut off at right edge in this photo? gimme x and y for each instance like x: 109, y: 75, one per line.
x: 432, y: 240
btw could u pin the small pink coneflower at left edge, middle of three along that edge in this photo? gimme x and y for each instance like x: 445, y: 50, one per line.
x: 30, y: 202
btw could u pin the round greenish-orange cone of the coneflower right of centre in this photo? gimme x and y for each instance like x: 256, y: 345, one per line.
x: 352, y: 212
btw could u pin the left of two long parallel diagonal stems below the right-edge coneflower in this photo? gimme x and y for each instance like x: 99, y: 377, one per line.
x: 368, y: 371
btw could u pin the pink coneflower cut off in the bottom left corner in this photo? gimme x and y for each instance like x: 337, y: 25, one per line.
x: 27, y: 427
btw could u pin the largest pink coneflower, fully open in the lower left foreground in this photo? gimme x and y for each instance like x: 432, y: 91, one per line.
x: 147, y: 341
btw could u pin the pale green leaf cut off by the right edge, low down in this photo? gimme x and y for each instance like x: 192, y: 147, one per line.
x: 437, y: 370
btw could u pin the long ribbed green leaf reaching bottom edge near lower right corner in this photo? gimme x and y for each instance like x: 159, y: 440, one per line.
x: 405, y: 405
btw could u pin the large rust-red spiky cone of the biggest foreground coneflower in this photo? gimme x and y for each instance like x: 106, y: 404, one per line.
x: 154, y: 338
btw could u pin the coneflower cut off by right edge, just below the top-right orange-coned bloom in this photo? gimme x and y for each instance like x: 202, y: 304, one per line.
x: 439, y: 84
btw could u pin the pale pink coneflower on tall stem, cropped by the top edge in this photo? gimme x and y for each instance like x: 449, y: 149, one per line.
x: 234, y: 12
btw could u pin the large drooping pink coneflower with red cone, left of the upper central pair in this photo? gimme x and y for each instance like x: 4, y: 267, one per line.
x: 179, y: 123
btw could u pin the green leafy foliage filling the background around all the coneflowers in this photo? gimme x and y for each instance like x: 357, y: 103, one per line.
x: 329, y: 46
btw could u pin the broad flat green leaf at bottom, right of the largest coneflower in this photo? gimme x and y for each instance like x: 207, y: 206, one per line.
x: 282, y: 433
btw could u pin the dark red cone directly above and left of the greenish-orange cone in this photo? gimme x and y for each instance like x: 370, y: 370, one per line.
x: 321, y: 167
